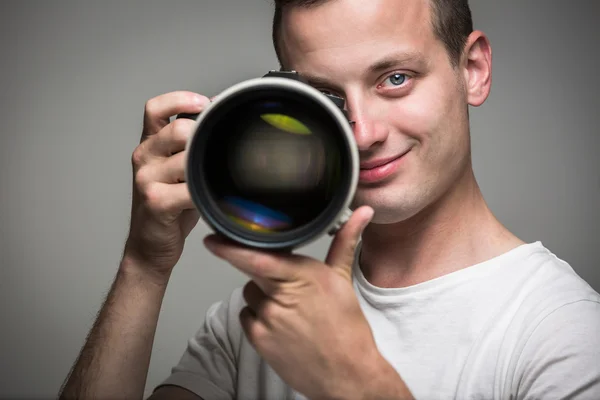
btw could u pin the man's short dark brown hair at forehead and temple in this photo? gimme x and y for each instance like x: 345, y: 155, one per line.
x: 451, y: 20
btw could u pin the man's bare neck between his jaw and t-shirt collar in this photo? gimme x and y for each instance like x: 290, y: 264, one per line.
x: 455, y: 232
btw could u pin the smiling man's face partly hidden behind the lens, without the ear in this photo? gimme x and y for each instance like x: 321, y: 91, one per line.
x: 401, y: 89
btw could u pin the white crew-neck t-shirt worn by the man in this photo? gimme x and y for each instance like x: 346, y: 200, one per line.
x: 522, y: 325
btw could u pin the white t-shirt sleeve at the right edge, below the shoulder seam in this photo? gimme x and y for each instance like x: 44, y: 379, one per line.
x: 561, y: 359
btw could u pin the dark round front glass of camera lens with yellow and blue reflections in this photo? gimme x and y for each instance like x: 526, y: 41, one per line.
x: 273, y: 164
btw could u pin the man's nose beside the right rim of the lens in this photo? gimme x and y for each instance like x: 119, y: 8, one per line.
x: 369, y: 129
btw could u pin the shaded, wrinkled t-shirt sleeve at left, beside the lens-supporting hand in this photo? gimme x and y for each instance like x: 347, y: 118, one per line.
x: 208, y: 365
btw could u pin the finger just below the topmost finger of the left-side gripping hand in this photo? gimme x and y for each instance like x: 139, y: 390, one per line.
x: 171, y: 139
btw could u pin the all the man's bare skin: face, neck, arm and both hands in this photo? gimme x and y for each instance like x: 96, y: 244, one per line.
x: 426, y: 220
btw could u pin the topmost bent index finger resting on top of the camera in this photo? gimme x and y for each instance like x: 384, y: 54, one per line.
x: 159, y: 109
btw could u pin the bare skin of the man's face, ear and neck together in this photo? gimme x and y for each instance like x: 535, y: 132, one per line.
x: 430, y: 216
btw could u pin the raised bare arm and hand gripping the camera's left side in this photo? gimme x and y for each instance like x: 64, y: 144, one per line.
x: 115, y: 358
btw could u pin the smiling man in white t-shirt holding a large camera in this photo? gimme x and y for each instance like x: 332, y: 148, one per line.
x: 438, y: 300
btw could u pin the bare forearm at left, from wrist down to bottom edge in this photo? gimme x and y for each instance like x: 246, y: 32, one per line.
x: 115, y: 358
